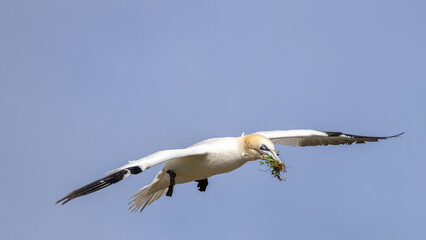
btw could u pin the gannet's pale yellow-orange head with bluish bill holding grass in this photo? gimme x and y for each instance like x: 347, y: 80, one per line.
x: 259, y: 147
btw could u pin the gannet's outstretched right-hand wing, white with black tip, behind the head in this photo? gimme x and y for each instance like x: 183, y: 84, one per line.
x: 308, y: 137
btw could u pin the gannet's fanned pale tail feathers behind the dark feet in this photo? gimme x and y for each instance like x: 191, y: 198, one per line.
x: 145, y: 196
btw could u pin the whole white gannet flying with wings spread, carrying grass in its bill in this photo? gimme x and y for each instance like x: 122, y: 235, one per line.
x: 211, y: 157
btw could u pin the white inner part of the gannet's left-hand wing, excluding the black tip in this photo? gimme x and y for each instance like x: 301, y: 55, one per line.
x: 162, y: 156
